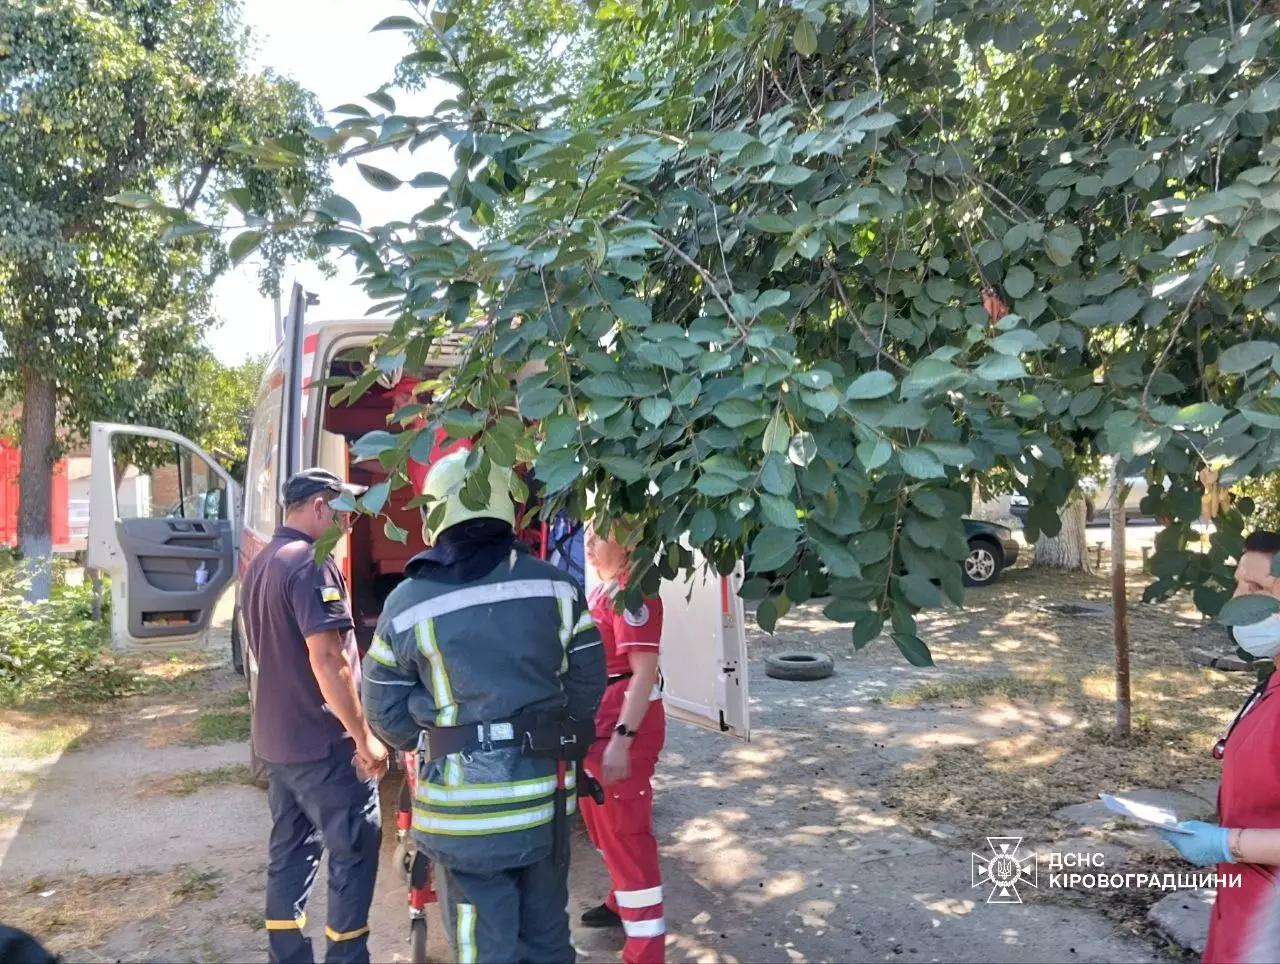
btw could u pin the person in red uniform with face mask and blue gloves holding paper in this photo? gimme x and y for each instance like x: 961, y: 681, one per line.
x: 1246, y: 842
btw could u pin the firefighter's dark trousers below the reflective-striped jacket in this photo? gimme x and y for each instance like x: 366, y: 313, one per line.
x: 508, y: 916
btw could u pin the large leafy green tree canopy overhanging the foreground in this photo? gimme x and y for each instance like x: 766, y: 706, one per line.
x: 752, y: 253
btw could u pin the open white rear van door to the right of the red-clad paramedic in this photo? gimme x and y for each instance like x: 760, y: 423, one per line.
x: 705, y: 650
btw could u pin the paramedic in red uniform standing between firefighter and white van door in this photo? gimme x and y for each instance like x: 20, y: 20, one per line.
x: 630, y: 729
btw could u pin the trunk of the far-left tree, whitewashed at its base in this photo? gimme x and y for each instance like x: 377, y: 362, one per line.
x: 35, y: 482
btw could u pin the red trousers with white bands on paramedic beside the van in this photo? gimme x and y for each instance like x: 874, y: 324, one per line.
x: 623, y: 830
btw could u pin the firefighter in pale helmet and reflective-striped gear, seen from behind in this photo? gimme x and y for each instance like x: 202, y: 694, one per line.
x: 487, y: 660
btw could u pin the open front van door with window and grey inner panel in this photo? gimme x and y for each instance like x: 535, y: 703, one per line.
x: 163, y: 526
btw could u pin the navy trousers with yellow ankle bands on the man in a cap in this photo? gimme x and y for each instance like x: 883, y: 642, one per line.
x: 317, y: 807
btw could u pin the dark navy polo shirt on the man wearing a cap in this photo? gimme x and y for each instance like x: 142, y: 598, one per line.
x: 285, y: 598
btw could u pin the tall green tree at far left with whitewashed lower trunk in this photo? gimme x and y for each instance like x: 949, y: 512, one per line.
x: 129, y: 99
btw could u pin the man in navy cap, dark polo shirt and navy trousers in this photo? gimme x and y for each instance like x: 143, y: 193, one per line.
x: 322, y: 759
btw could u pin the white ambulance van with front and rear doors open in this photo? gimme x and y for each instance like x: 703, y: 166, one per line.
x: 173, y: 554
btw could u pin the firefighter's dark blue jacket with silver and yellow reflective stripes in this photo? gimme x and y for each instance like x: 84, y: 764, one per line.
x: 506, y: 641
